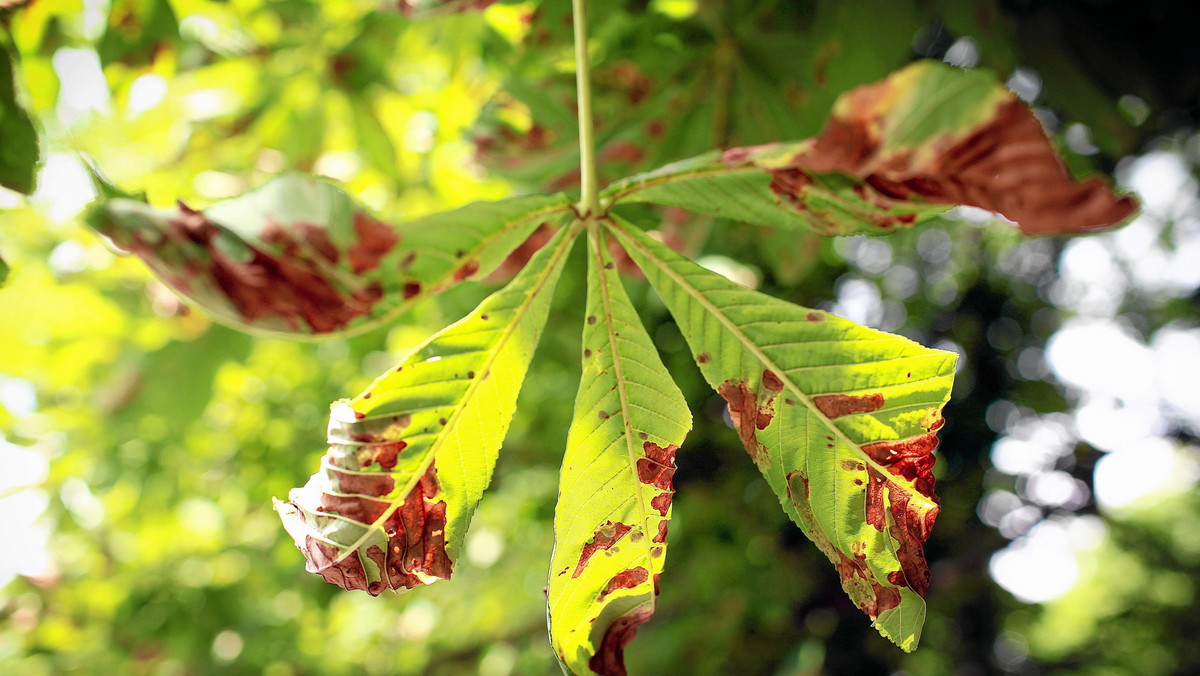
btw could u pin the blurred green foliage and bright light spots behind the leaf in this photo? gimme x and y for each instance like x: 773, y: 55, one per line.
x: 142, y: 445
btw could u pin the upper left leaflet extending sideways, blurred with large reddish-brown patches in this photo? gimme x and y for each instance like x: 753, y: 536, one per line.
x: 299, y: 258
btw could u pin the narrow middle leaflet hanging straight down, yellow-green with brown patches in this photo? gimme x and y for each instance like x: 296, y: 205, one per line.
x: 615, y: 489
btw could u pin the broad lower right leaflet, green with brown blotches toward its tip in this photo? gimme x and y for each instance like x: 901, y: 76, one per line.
x: 841, y: 420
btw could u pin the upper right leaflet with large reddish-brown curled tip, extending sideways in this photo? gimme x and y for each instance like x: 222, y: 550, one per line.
x: 897, y: 152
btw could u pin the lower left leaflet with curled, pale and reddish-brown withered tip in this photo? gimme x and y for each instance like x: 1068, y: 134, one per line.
x: 410, y: 458
